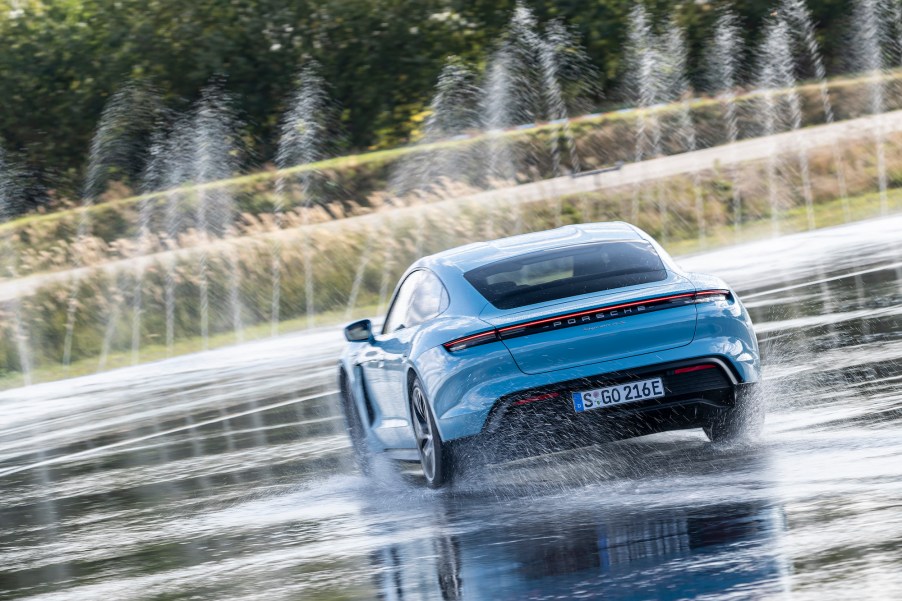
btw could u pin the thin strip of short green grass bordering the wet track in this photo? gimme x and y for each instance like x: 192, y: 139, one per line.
x: 826, y: 214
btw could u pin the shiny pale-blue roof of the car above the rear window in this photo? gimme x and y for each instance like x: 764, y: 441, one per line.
x: 471, y: 256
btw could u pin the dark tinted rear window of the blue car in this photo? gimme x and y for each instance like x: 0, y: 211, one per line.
x: 560, y: 273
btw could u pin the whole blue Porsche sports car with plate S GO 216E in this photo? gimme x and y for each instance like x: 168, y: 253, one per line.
x: 546, y: 341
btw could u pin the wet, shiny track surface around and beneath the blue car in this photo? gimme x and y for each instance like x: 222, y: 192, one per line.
x: 227, y: 475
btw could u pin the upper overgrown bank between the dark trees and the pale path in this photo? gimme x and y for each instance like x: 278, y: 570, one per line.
x: 357, y: 184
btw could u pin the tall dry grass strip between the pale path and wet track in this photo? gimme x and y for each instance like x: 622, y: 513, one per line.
x: 357, y: 261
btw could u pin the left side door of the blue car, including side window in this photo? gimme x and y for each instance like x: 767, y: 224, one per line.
x: 420, y: 297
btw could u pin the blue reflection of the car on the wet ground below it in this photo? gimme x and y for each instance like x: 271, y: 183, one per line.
x: 722, y: 549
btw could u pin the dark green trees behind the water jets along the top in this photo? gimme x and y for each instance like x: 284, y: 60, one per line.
x: 62, y: 59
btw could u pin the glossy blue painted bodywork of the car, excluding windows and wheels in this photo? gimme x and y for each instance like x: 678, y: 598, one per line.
x: 463, y: 386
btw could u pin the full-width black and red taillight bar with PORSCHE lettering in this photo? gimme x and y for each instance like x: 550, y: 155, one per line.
x: 604, y: 313
